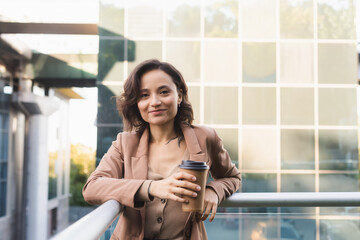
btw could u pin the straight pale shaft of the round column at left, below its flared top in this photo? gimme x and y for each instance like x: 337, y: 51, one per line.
x: 37, y: 162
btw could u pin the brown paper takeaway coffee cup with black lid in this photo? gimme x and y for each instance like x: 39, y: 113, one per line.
x: 200, y: 171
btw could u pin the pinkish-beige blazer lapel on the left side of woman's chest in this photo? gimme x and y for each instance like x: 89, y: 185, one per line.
x: 139, y: 163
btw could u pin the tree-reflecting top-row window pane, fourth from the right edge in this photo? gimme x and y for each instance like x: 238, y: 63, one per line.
x: 221, y: 18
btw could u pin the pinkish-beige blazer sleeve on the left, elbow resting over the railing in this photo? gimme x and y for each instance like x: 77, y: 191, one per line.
x: 107, y: 181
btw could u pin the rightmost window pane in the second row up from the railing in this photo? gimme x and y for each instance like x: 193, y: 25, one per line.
x: 338, y: 150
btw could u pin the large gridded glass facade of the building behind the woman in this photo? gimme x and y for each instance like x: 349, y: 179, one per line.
x: 277, y: 79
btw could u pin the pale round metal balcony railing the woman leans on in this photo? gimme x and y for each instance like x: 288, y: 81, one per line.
x: 93, y: 225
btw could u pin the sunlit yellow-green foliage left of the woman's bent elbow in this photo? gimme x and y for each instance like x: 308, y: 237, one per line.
x: 82, y: 164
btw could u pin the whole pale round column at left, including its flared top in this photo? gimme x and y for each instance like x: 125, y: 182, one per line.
x: 36, y: 160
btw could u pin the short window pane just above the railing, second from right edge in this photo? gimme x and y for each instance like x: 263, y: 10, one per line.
x: 297, y: 182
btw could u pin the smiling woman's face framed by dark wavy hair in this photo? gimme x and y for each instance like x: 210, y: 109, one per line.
x: 159, y: 98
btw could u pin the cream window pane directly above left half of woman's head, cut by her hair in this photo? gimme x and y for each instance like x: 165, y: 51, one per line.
x: 145, y: 50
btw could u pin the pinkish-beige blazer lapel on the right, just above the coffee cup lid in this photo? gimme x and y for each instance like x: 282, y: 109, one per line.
x: 192, y: 144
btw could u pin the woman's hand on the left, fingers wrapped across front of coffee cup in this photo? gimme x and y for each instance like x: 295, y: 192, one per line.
x: 179, y: 183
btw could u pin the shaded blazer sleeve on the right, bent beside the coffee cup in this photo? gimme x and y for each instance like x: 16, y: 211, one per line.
x: 227, y: 178
